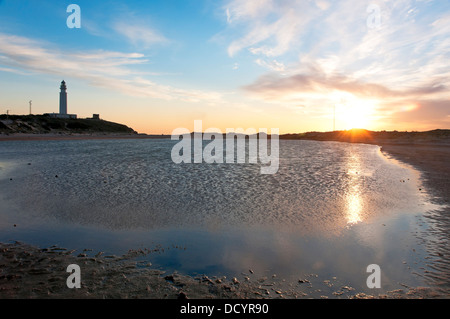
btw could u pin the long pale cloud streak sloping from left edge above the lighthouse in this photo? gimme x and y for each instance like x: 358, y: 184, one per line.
x: 108, y: 69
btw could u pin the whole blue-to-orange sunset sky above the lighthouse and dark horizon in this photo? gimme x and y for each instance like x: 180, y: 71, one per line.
x: 304, y: 65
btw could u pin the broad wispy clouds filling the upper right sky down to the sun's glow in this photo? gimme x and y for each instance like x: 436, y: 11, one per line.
x: 329, y: 52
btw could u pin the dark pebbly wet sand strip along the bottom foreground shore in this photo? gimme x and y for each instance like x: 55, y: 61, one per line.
x: 29, y: 272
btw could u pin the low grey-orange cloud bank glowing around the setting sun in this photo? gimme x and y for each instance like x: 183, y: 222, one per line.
x: 421, y: 107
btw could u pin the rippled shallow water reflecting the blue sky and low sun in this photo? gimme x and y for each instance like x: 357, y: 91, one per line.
x: 330, y: 210
